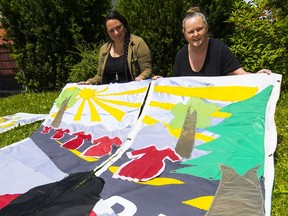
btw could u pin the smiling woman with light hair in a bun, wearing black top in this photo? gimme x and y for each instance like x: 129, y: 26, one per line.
x: 202, y: 55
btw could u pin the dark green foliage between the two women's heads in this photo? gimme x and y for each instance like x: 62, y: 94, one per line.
x: 159, y: 24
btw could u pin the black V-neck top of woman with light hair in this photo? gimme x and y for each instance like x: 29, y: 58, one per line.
x: 219, y: 61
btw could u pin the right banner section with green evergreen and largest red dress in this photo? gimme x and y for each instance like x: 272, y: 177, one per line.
x: 202, y: 146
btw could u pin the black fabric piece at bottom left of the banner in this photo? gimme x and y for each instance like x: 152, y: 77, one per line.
x: 75, y: 195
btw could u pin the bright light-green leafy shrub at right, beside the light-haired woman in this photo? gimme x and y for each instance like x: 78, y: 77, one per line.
x: 259, y: 39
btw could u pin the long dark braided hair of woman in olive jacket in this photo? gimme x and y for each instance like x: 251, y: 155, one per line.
x: 113, y: 14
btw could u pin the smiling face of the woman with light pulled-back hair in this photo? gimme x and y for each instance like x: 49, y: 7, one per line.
x: 195, y: 31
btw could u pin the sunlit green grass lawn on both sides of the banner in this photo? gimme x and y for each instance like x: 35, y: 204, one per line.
x: 41, y: 103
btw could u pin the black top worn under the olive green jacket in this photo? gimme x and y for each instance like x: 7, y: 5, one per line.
x: 115, y: 70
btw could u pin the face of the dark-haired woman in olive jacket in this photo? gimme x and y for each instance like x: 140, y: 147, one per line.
x: 116, y: 30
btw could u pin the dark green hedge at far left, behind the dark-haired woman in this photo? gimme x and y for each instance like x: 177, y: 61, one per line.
x: 45, y: 31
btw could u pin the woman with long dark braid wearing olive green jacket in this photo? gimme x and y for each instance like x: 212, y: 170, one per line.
x: 125, y: 57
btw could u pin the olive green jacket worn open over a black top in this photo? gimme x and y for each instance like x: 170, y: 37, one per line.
x: 139, y: 60
